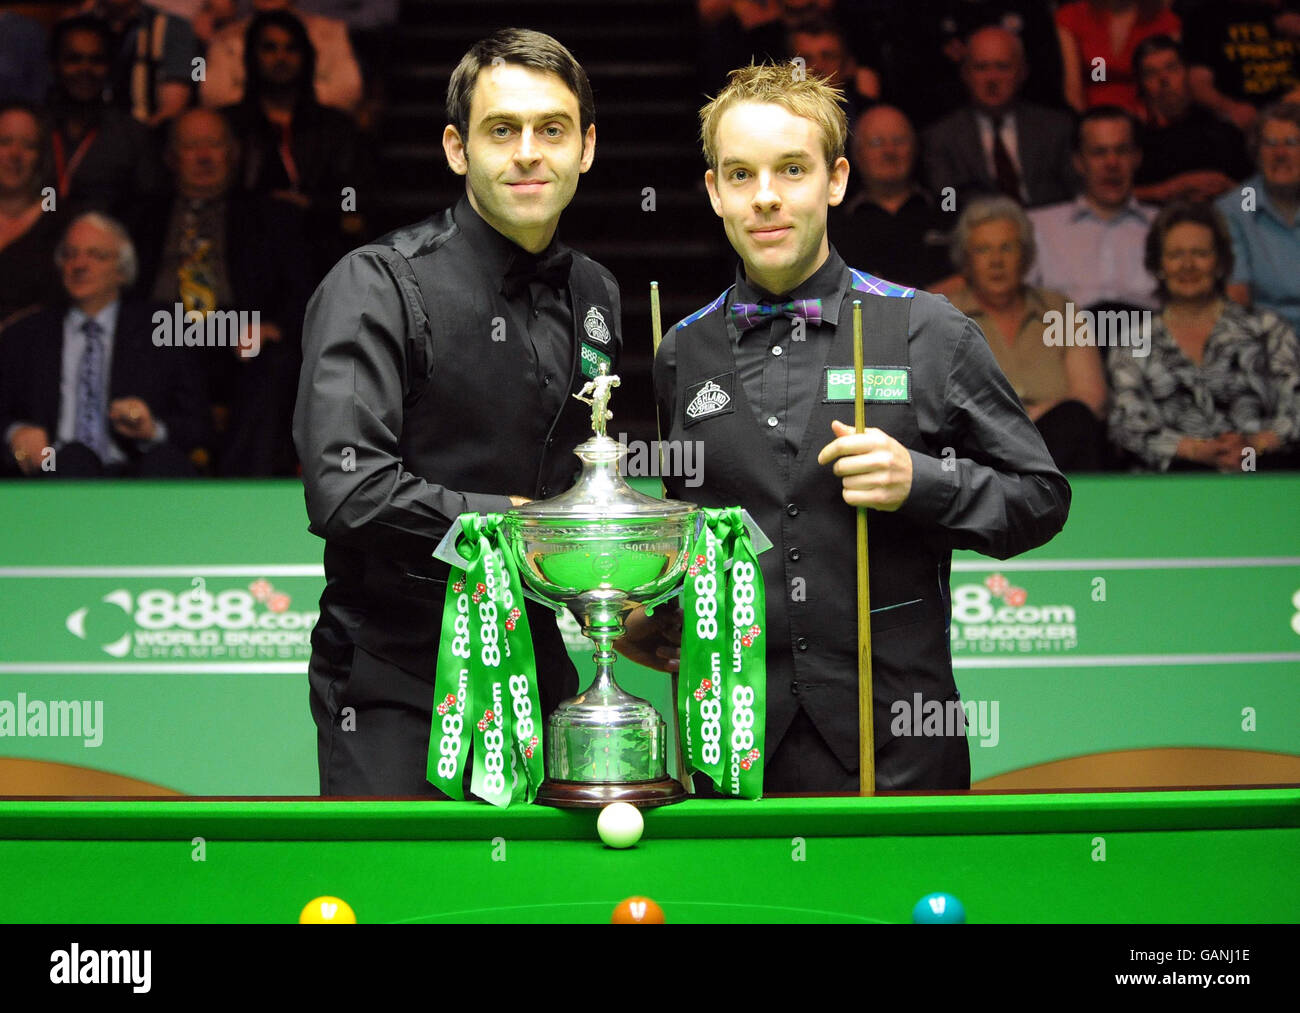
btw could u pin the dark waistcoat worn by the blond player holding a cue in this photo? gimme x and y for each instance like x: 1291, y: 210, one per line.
x: 811, y: 573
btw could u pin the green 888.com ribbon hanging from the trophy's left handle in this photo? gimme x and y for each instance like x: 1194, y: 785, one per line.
x: 487, y: 676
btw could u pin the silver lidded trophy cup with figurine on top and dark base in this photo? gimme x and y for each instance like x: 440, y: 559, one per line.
x: 603, y: 549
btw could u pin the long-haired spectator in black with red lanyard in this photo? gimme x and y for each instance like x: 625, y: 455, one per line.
x: 293, y: 148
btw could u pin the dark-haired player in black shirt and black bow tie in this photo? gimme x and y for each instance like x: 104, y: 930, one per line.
x: 437, y: 371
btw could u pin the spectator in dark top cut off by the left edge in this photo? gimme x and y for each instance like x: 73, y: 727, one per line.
x: 28, y: 232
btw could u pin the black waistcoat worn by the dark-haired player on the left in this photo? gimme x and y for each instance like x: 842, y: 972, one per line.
x: 474, y: 422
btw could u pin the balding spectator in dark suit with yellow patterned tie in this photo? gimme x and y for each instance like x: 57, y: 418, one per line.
x: 211, y: 248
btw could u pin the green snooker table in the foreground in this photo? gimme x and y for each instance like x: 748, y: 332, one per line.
x: 1151, y: 856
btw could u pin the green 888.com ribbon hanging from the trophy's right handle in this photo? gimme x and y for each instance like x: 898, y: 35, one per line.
x: 722, y: 689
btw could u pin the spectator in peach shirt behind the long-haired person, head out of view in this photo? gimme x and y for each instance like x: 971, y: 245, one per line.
x: 337, y: 76
